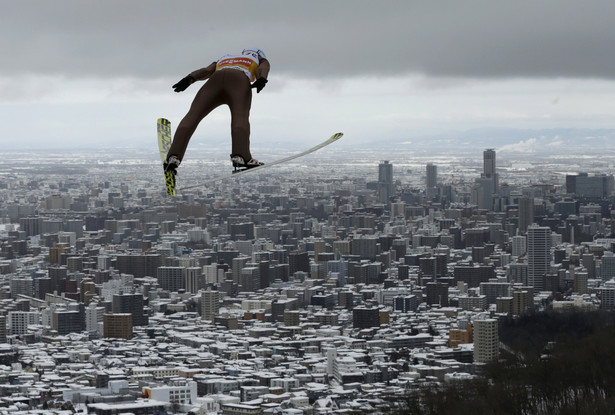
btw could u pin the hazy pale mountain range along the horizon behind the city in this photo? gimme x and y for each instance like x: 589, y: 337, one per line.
x: 506, y: 141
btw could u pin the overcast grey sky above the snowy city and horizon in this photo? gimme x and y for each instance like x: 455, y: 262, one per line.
x: 83, y: 73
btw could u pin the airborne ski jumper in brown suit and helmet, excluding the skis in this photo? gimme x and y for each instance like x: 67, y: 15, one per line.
x: 230, y: 82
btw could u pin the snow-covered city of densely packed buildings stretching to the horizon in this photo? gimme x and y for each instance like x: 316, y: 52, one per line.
x: 312, y: 292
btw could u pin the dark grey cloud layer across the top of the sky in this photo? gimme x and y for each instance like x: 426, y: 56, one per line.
x: 494, y: 39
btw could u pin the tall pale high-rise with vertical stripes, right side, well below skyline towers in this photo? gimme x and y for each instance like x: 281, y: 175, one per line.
x: 538, y: 254
